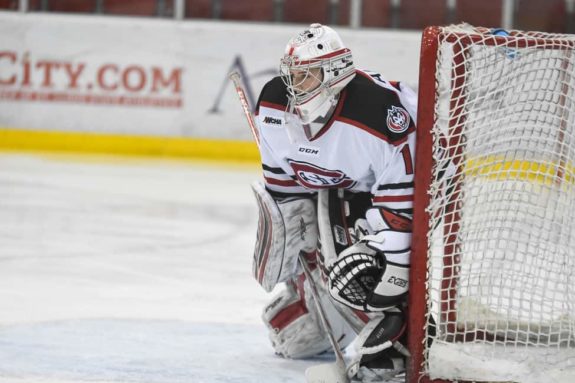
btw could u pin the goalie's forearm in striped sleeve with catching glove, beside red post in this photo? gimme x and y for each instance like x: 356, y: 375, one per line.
x: 373, y: 274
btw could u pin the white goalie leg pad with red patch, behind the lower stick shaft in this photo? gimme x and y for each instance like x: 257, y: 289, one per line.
x: 295, y: 329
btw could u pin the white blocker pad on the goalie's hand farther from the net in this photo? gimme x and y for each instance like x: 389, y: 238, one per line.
x: 284, y: 229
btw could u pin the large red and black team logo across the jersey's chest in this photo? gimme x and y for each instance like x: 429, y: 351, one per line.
x: 314, y: 177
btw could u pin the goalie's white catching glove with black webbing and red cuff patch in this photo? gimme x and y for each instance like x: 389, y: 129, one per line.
x: 373, y: 274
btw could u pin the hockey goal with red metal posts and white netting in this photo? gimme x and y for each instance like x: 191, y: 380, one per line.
x: 492, y: 288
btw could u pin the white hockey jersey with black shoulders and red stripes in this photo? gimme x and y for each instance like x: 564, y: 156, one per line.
x: 368, y: 145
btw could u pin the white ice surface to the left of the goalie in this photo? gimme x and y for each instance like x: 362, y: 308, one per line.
x: 130, y: 271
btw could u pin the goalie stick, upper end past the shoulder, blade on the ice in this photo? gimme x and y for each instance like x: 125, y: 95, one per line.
x: 323, y: 373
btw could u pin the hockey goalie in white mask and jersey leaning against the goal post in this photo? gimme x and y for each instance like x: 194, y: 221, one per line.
x: 337, y: 146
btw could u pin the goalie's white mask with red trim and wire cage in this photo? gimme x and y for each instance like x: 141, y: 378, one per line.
x: 316, y: 66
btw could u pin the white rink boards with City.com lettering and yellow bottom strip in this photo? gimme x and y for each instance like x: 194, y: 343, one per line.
x: 152, y: 87
